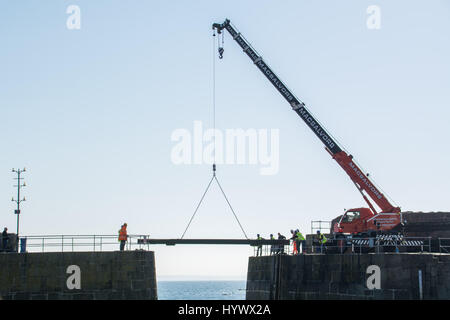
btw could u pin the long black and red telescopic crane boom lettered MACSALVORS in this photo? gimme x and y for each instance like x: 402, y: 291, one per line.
x: 361, y: 180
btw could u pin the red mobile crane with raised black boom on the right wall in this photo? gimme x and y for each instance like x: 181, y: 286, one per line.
x: 358, y: 221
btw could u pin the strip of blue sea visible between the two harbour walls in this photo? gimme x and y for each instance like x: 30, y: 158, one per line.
x: 201, y: 290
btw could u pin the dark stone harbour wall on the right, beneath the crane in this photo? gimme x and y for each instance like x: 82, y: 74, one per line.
x: 385, y: 276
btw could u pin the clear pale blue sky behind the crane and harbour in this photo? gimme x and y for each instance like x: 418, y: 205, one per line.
x: 90, y: 113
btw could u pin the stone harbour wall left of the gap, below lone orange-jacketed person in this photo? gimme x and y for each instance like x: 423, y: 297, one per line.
x: 124, y: 275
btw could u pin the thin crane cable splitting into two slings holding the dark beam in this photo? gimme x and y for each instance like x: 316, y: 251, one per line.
x: 214, y: 177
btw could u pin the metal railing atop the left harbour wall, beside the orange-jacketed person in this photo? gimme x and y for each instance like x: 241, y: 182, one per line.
x: 72, y: 243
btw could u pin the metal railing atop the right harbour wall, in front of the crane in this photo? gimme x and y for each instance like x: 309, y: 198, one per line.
x: 363, y: 245
